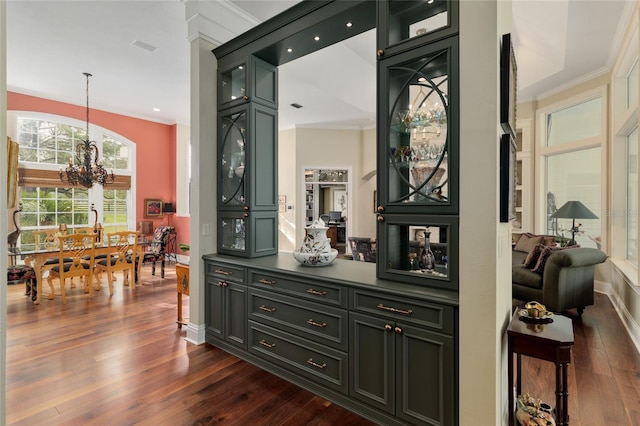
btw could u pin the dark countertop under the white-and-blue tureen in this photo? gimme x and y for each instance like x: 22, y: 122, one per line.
x: 355, y: 274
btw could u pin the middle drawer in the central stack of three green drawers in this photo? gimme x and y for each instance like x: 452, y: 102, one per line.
x: 323, y: 324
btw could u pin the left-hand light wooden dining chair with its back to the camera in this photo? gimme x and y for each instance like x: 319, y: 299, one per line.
x: 80, y: 249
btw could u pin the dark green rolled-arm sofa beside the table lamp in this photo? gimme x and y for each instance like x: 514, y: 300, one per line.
x: 566, y: 281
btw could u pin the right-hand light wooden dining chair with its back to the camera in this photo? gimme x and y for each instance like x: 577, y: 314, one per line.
x: 121, y: 256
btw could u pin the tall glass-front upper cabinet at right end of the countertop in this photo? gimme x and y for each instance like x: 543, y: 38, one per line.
x: 418, y: 143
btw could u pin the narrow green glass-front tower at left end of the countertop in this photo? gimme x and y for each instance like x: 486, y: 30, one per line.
x: 248, y: 159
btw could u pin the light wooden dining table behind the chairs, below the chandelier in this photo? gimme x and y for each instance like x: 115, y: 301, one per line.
x: 38, y: 258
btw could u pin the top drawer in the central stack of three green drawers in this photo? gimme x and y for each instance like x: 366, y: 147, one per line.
x: 319, y: 292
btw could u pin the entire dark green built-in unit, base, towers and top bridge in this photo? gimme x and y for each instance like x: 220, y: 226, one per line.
x: 379, y: 339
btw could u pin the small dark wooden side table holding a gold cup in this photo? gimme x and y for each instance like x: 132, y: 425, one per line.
x: 550, y: 342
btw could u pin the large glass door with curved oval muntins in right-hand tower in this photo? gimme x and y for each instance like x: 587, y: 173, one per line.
x: 418, y: 147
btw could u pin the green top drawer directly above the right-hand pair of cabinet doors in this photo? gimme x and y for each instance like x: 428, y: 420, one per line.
x: 431, y: 315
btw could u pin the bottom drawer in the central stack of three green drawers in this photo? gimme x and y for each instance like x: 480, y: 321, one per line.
x: 320, y: 364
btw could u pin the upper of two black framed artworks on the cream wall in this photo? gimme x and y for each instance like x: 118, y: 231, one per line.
x: 508, y: 86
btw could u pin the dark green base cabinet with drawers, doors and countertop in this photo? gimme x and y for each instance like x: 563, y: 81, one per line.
x: 380, y: 348
